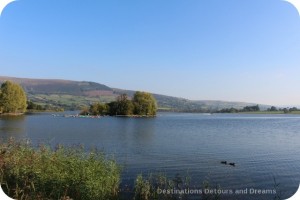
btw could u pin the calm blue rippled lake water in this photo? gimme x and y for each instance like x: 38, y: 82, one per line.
x: 263, y: 147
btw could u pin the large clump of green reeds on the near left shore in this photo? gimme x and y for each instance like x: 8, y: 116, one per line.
x: 63, y: 173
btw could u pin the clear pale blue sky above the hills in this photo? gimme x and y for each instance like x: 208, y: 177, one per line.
x: 233, y: 50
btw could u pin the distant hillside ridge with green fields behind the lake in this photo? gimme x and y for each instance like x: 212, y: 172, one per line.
x: 77, y: 94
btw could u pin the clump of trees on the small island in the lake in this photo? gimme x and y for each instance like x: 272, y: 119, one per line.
x: 142, y: 104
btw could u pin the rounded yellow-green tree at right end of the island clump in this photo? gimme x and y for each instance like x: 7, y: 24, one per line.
x: 144, y: 104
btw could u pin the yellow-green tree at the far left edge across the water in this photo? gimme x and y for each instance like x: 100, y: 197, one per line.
x: 12, y: 98
